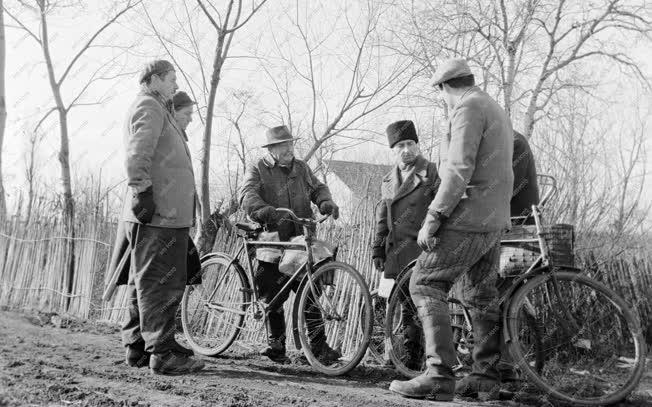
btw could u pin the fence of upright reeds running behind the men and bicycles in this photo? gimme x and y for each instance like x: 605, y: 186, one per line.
x: 34, y: 255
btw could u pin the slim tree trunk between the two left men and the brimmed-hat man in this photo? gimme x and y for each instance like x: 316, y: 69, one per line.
x: 204, y: 231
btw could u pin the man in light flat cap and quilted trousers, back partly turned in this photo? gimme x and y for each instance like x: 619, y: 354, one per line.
x: 461, y: 236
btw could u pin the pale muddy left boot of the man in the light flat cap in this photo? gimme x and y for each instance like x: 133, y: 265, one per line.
x: 438, y: 381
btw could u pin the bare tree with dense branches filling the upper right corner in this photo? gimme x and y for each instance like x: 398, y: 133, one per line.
x: 525, y: 47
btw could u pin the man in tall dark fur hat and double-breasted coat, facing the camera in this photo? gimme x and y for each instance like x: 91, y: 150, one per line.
x: 406, y: 191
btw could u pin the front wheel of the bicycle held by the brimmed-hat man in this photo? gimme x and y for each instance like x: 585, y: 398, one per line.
x: 335, y: 318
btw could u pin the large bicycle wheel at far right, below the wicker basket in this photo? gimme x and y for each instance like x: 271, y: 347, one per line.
x: 592, y: 342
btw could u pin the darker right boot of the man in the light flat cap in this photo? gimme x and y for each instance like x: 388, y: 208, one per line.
x: 483, y: 382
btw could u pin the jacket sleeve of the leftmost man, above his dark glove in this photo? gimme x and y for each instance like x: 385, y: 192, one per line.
x: 145, y: 128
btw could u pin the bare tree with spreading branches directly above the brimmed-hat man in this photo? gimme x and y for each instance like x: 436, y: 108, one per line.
x: 364, y: 86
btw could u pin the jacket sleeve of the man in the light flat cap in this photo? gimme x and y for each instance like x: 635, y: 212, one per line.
x: 467, y: 127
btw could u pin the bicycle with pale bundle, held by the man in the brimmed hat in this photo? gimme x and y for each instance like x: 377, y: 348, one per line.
x: 330, y: 297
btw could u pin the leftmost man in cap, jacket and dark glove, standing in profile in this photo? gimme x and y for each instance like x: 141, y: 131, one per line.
x: 158, y: 212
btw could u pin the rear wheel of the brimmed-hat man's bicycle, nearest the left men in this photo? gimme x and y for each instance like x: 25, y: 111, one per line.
x: 213, y: 312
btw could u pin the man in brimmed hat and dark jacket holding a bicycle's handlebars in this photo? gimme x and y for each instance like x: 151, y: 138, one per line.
x: 279, y: 180
